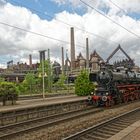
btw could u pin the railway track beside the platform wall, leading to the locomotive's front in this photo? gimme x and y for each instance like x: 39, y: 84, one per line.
x: 18, y: 128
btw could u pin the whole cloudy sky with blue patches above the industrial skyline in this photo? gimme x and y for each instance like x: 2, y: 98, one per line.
x: 52, y: 20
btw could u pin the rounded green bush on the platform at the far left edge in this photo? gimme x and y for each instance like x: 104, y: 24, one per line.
x: 8, y: 91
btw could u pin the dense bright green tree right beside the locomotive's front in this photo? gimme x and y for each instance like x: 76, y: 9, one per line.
x: 83, y: 86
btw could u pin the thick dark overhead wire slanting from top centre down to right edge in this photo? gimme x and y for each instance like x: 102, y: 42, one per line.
x: 109, y: 19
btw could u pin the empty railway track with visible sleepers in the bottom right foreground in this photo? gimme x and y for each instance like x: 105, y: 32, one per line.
x: 107, y: 129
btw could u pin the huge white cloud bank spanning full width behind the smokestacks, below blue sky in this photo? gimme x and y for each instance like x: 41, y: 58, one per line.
x: 19, y: 44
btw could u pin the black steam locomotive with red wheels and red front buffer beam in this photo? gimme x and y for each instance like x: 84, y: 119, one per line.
x: 113, y: 86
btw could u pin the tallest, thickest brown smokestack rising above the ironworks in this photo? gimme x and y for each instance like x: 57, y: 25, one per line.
x: 72, y: 48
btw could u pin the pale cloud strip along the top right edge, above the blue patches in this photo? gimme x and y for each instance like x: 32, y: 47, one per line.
x: 127, y: 5
